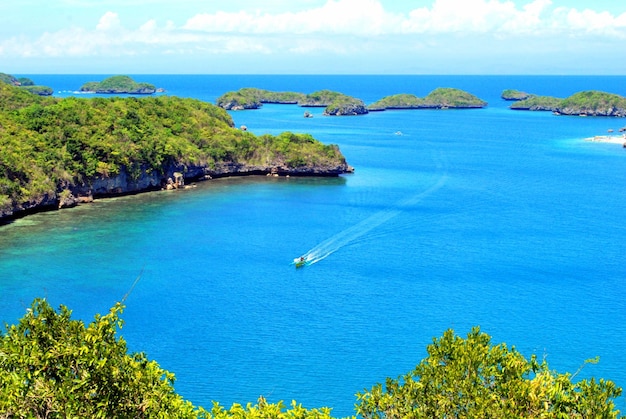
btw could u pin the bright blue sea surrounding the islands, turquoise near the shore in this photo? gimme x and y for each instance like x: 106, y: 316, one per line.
x: 506, y: 220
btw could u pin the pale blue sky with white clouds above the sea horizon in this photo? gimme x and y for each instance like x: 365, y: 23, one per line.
x: 313, y: 37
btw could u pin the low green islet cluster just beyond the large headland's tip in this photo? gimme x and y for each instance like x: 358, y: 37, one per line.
x: 251, y: 98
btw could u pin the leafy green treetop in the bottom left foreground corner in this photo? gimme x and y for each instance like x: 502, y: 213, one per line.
x: 54, y: 367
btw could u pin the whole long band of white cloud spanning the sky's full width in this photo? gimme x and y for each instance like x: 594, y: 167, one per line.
x: 338, y: 27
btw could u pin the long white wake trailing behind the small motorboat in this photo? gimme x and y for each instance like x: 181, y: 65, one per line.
x: 345, y: 237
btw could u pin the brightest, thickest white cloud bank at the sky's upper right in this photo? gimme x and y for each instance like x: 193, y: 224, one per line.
x: 369, y: 18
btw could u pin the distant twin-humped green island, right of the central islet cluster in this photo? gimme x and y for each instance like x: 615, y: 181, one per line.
x: 440, y: 98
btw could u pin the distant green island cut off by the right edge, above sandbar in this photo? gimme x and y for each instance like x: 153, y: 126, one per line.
x: 585, y: 103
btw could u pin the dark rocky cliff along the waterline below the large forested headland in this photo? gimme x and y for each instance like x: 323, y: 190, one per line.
x: 69, y: 195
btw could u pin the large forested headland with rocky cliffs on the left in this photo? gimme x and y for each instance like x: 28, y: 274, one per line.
x: 57, y: 152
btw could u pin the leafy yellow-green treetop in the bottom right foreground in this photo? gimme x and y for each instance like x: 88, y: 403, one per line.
x: 471, y: 378
